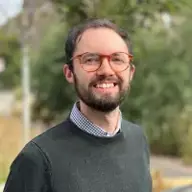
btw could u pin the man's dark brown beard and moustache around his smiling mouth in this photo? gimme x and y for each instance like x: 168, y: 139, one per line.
x: 106, y: 103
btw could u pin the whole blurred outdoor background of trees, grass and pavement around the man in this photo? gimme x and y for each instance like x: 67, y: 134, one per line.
x: 34, y: 94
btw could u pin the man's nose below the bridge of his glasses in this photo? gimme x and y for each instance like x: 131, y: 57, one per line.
x: 105, y: 68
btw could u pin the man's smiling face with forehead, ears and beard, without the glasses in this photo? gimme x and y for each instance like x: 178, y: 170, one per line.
x: 103, y: 89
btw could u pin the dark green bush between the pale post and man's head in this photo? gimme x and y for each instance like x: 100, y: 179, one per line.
x: 52, y: 92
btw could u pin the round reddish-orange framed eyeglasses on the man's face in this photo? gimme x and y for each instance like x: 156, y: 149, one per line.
x: 90, y: 62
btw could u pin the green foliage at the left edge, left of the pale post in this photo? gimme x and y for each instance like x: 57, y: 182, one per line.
x: 10, y: 51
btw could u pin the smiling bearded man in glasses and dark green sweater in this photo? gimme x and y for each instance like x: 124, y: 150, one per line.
x: 94, y: 150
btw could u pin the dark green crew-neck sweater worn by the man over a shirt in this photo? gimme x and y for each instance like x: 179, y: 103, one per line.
x: 66, y: 159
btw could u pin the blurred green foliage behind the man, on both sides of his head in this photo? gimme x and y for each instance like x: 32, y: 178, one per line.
x: 161, y: 89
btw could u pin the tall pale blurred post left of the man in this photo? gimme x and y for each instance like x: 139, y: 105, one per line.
x: 26, y: 26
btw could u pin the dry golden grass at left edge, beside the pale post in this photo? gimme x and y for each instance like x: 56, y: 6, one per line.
x: 10, y: 143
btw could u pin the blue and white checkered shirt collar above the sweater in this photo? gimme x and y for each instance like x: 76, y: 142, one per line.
x: 84, y: 124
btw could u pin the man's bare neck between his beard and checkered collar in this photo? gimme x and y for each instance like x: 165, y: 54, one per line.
x: 107, y: 121
